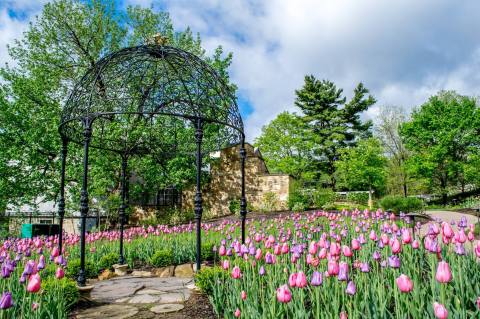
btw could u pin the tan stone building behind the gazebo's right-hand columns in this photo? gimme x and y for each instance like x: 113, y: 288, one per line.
x: 264, y: 191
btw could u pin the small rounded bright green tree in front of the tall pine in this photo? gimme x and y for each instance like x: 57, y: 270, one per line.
x: 363, y: 166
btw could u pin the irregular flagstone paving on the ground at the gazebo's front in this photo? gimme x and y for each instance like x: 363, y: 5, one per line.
x: 123, y: 296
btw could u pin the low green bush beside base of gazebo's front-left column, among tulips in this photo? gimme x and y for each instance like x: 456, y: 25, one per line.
x: 65, y: 288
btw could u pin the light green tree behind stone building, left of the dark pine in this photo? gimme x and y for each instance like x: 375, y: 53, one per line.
x: 286, y: 146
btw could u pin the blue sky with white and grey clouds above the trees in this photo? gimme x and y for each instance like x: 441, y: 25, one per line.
x: 402, y: 50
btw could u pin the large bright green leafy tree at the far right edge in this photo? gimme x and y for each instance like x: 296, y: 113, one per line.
x: 444, y: 136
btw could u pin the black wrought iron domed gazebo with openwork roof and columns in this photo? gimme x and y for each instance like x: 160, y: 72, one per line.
x: 150, y: 99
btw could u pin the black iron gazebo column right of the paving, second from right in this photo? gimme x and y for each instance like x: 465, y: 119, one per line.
x: 198, y: 194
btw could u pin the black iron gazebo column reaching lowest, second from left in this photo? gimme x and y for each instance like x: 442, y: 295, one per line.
x: 87, y: 134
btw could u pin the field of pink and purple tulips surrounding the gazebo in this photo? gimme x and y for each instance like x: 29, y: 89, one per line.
x: 351, y: 264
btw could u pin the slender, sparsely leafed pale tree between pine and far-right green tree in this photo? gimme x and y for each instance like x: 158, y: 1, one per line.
x: 387, y: 130
